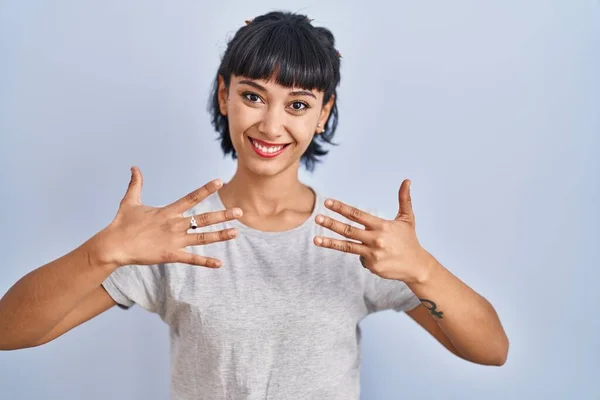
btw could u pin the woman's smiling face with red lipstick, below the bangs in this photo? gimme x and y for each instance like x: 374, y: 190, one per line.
x: 270, y: 125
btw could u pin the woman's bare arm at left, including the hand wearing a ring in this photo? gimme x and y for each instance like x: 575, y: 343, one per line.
x: 66, y: 292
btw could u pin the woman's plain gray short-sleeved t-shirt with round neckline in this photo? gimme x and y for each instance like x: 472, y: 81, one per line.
x: 279, y: 320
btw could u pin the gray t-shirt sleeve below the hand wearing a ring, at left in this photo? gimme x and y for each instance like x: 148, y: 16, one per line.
x: 138, y: 284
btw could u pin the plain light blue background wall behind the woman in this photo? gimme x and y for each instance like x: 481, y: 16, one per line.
x: 491, y: 108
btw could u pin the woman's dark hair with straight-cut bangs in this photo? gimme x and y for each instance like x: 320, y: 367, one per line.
x: 301, y: 54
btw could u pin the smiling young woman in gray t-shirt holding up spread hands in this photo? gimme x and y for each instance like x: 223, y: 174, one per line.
x: 287, y: 274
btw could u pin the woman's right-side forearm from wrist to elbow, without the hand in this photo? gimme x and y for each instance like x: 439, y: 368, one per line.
x: 467, y: 319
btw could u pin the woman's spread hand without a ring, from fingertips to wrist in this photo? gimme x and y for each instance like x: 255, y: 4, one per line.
x: 388, y: 248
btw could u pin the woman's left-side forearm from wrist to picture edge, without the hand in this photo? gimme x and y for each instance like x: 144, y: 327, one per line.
x: 43, y: 297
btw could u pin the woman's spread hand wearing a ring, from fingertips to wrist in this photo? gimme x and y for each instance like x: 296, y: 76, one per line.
x: 144, y: 235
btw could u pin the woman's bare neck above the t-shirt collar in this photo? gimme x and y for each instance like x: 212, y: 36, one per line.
x: 264, y: 195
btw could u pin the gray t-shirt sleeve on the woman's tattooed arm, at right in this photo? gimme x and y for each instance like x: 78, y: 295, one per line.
x: 388, y: 294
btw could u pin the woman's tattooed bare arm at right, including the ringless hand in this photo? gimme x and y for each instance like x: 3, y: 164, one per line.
x: 390, y: 249
